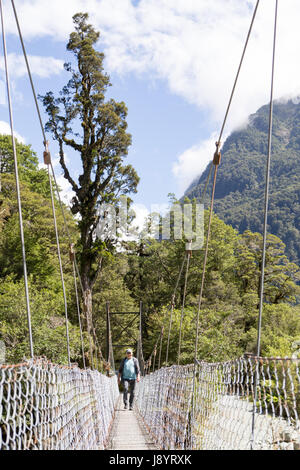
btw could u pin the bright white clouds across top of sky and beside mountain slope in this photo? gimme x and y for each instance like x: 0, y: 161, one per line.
x: 192, y: 45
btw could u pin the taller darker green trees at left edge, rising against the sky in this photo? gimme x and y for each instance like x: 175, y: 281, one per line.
x: 39, y: 232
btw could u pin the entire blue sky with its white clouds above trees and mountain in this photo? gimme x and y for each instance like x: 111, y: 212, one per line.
x: 173, y: 63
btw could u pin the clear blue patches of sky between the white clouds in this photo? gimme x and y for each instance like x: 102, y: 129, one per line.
x: 162, y: 124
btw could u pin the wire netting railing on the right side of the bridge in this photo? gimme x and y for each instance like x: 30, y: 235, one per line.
x: 223, y: 405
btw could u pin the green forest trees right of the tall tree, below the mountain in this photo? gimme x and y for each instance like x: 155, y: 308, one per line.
x: 229, y: 313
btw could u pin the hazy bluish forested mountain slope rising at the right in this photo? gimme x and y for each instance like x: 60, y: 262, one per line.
x: 241, y: 176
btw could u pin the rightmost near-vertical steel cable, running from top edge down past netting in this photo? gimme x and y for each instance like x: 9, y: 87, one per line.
x: 266, y: 208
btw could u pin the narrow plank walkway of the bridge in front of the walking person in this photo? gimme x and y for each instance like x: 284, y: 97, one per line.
x: 128, y: 432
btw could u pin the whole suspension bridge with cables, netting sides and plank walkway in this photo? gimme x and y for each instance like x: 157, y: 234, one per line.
x: 251, y: 402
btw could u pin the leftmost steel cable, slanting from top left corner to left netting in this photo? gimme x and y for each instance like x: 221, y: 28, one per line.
x: 17, y: 185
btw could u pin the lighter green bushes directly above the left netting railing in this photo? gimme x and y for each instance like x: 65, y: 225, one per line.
x: 48, y: 324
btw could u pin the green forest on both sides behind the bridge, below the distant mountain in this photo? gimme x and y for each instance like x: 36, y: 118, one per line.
x: 142, y: 271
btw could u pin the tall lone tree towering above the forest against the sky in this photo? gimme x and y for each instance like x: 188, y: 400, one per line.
x: 102, y: 144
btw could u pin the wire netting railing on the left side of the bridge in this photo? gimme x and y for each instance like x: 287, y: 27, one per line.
x: 48, y: 407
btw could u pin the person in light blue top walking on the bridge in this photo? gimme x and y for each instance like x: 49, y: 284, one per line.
x: 129, y: 374
